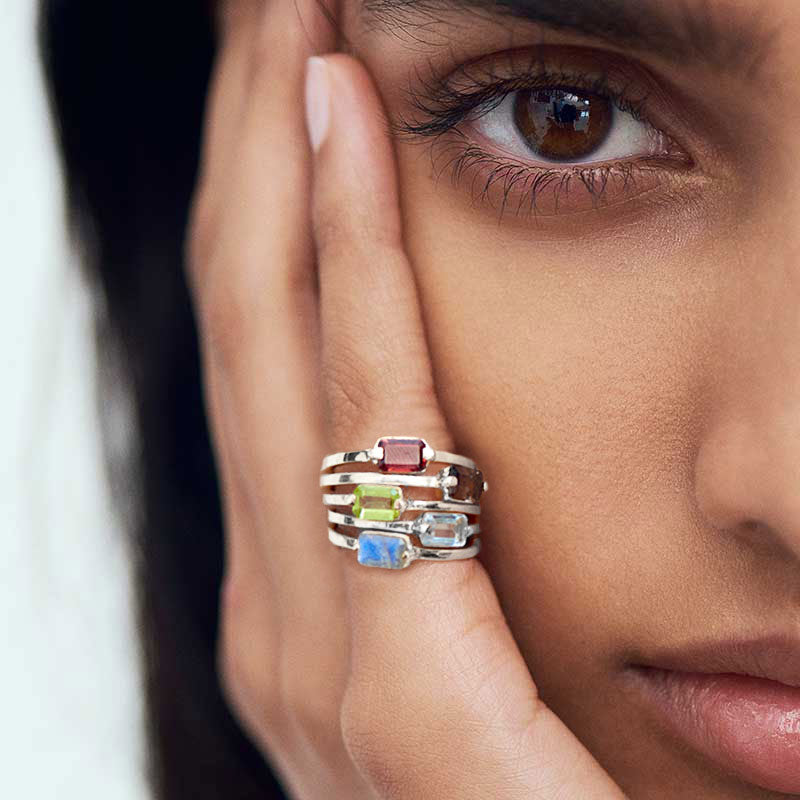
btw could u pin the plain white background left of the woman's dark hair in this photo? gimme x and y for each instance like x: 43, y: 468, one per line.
x: 70, y: 707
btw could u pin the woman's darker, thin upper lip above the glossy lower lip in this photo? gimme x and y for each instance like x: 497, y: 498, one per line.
x: 775, y: 657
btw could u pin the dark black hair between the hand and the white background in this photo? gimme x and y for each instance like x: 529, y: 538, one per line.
x: 128, y: 84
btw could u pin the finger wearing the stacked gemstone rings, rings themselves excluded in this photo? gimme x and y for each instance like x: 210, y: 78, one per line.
x: 439, y: 694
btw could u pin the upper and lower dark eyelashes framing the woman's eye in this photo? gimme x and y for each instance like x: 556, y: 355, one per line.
x: 444, y: 106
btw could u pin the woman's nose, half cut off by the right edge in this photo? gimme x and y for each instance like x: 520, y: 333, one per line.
x: 747, y: 468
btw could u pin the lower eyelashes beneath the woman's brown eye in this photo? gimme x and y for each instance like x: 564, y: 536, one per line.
x: 535, y: 180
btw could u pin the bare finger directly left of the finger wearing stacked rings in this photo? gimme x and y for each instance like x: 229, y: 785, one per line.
x: 256, y: 302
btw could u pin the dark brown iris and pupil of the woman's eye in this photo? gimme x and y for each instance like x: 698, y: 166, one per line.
x: 560, y: 125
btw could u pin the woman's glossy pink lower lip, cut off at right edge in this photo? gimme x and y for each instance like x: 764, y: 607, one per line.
x: 748, y: 726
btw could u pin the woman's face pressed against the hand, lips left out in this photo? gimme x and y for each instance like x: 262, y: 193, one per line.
x: 619, y: 350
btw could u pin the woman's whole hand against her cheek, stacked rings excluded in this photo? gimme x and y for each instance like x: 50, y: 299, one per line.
x: 355, y: 682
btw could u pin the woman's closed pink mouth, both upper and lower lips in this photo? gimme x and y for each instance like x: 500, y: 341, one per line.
x: 736, y: 702
